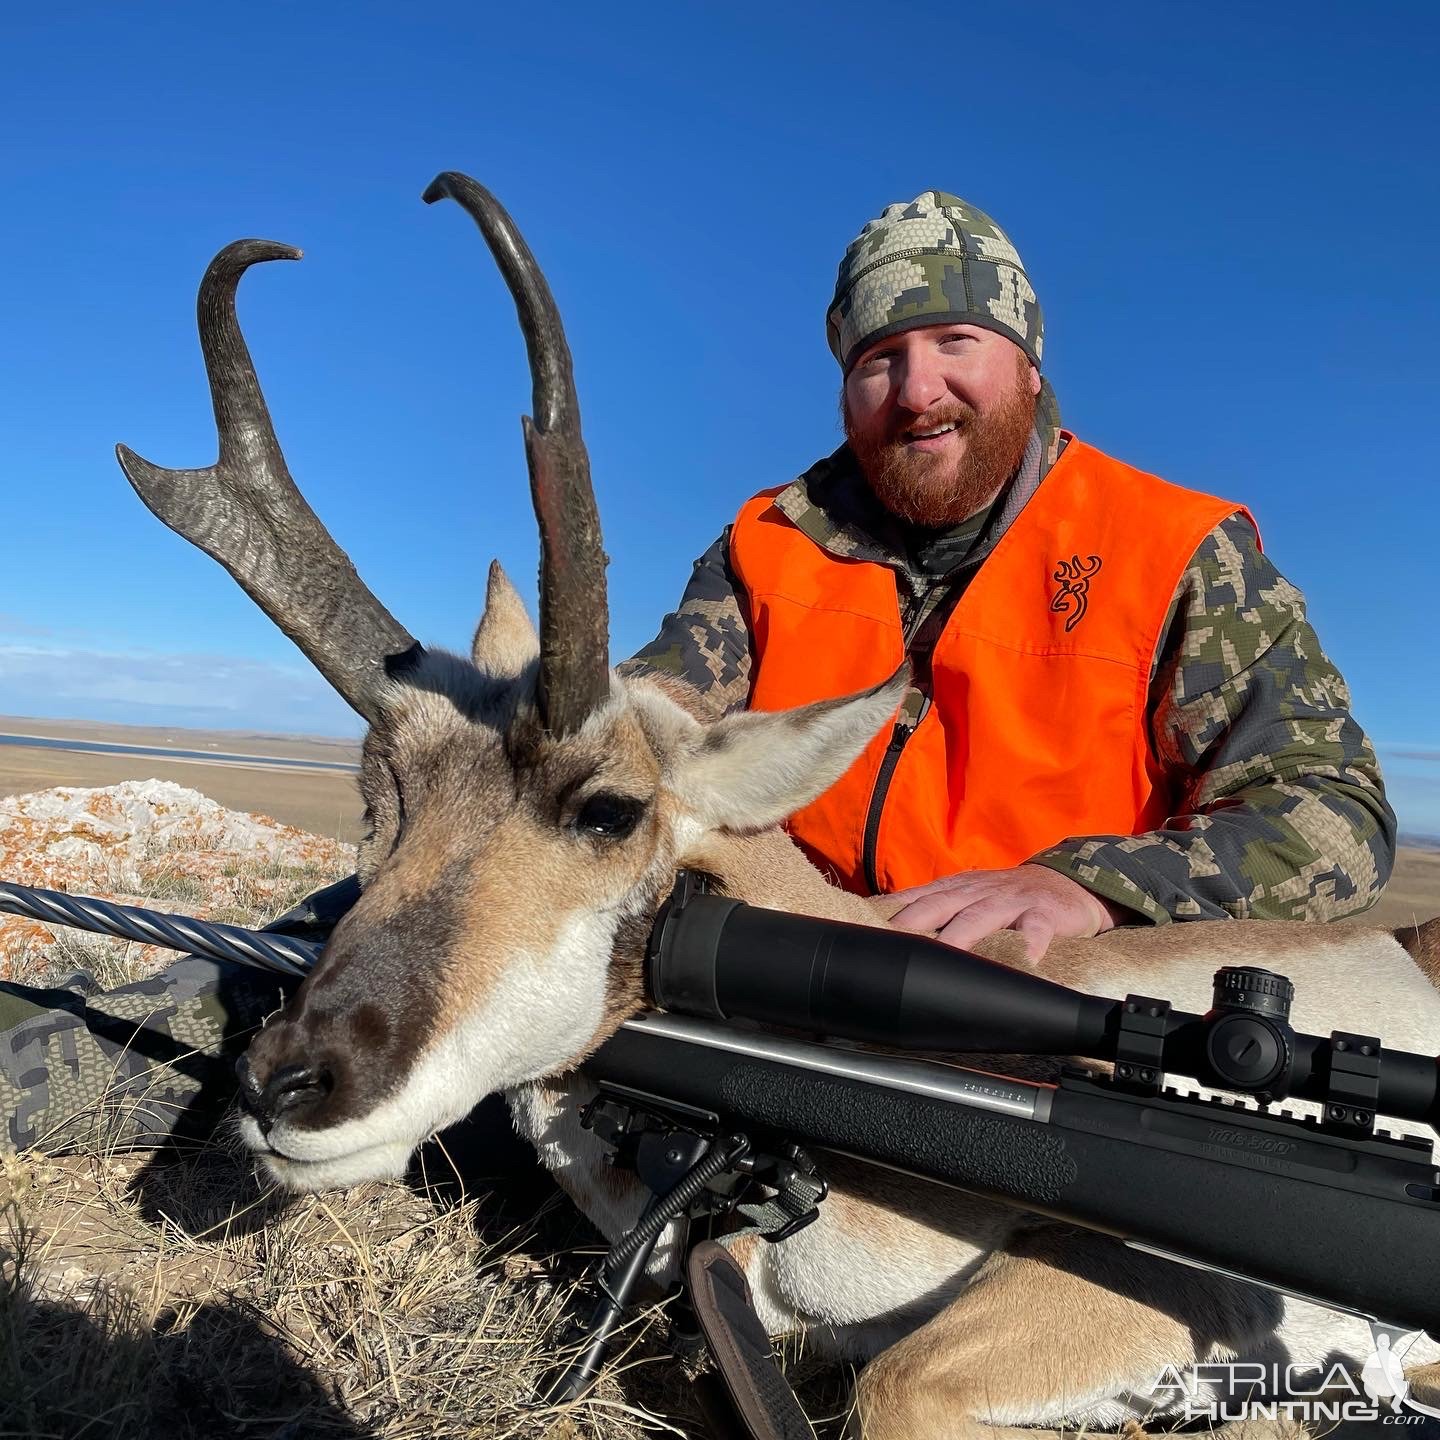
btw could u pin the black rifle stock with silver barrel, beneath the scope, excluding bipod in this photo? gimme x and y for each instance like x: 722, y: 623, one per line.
x: 1351, y: 1223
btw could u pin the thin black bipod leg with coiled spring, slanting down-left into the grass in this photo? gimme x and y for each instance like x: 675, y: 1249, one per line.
x: 683, y: 1164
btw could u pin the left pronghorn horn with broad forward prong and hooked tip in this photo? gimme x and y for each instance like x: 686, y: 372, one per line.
x: 247, y: 513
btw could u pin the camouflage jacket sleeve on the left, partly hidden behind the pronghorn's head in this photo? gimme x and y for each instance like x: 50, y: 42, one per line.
x: 706, y: 639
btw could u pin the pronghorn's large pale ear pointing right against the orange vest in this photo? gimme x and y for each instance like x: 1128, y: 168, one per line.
x: 755, y: 768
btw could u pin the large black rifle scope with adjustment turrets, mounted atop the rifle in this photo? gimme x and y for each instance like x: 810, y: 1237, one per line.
x: 724, y: 960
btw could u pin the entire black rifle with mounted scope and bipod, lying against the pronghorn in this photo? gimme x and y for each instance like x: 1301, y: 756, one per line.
x: 1212, y: 1183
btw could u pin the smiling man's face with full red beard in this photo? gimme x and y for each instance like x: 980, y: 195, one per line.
x: 940, y: 420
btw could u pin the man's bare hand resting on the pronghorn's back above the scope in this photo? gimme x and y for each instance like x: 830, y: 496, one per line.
x: 1036, y: 901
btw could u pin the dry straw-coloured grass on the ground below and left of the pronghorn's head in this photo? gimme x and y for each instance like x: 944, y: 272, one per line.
x: 172, y: 1295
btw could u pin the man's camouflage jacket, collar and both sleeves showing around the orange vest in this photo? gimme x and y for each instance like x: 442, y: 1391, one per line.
x: 1285, y: 814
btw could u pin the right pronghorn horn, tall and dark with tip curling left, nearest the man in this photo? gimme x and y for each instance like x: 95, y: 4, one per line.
x: 574, y: 616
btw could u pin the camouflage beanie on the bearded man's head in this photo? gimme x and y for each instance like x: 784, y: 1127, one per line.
x: 932, y: 261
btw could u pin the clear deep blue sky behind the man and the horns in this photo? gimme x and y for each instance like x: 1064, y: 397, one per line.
x: 1229, y: 214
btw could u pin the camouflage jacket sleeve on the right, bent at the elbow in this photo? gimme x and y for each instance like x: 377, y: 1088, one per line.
x: 1284, y: 810
